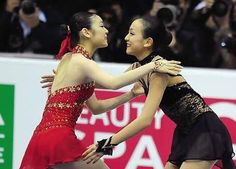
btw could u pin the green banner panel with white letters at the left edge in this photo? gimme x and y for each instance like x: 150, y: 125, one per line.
x: 6, y: 125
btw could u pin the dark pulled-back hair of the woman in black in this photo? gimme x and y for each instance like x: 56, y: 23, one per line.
x: 155, y: 28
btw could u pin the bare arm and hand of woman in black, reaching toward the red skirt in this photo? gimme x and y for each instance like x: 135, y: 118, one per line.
x: 158, y: 83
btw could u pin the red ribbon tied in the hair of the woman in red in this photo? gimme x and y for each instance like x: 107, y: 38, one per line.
x: 65, y: 46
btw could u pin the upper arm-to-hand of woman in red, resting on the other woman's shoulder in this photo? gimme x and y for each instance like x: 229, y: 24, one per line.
x: 92, y: 71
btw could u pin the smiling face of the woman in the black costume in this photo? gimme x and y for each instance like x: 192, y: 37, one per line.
x: 134, y: 39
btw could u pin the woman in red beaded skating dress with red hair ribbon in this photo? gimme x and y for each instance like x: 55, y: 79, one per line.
x: 54, y: 144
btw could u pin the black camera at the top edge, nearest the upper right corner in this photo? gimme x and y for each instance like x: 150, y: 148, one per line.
x: 221, y: 7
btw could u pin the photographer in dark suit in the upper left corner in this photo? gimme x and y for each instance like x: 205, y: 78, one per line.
x: 25, y: 28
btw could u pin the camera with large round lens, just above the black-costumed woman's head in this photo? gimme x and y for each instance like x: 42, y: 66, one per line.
x: 169, y: 14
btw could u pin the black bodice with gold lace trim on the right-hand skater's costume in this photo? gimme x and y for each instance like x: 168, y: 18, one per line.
x: 180, y: 102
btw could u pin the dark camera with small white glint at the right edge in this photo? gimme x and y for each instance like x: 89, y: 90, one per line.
x: 229, y: 43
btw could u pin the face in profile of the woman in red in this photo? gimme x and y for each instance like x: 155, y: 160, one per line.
x: 99, y: 32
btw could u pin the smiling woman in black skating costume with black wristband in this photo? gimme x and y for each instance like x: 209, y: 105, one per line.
x: 200, y: 139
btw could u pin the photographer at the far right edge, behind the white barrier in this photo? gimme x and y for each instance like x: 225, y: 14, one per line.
x: 225, y: 38
